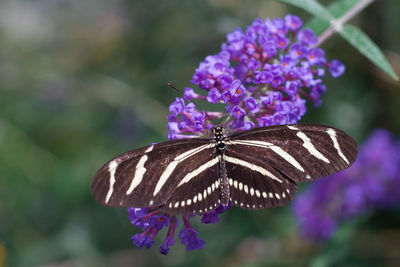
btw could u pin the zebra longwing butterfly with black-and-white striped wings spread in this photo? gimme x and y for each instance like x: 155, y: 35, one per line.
x: 253, y: 169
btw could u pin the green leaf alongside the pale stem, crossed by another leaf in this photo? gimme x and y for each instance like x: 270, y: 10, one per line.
x: 337, y: 9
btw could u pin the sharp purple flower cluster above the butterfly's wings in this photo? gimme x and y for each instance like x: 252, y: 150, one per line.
x: 263, y: 75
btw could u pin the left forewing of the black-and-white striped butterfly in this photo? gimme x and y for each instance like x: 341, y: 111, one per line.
x: 150, y: 176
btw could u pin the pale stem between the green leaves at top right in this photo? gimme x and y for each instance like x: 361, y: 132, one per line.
x: 336, y: 25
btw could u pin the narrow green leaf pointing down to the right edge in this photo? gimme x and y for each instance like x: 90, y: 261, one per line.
x: 368, y: 48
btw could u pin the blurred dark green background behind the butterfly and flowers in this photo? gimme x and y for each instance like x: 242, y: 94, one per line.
x: 82, y: 81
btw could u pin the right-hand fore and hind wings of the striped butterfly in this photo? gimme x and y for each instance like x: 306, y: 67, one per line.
x: 275, y: 158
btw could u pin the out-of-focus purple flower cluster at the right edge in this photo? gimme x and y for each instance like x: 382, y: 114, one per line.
x: 371, y: 183
